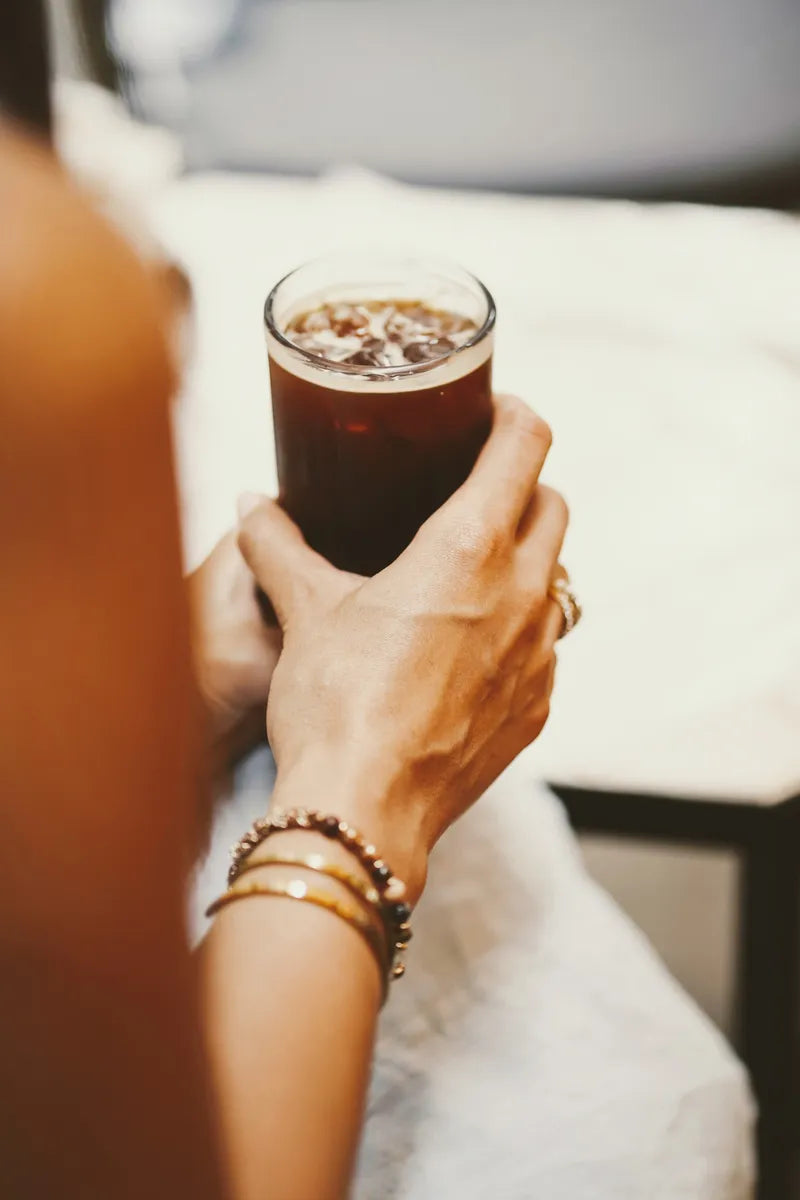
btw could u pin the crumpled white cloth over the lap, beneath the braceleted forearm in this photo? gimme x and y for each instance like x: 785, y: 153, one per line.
x: 537, y: 1048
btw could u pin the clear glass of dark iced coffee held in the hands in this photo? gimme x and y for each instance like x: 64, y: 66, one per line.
x: 381, y: 373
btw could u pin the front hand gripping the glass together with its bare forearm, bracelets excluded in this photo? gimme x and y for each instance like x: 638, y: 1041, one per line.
x: 395, y: 704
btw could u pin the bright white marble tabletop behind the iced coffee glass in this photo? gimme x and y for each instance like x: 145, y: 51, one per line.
x: 664, y: 346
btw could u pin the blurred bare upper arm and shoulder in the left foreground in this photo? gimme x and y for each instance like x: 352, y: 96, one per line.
x: 104, y: 1085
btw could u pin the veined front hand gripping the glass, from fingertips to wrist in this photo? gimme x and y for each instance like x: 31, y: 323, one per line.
x: 400, y: 699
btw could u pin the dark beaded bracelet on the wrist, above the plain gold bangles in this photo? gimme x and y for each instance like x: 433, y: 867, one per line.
x: 395, y: 911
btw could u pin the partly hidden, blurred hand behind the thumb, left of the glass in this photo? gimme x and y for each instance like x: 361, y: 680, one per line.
x: 236, y: 650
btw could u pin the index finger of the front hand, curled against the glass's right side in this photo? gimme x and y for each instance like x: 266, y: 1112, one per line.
x: 507, y: 472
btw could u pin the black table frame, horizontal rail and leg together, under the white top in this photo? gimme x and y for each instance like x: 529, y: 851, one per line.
x: 768, y: 943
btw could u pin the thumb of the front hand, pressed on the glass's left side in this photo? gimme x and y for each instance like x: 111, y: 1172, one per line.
x: 286, y: 568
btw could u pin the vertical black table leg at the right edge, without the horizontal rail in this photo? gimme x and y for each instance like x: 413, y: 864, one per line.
x: 768, y: 997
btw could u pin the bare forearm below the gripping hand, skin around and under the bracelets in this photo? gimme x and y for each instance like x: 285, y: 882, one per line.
x: 293, y: 995
